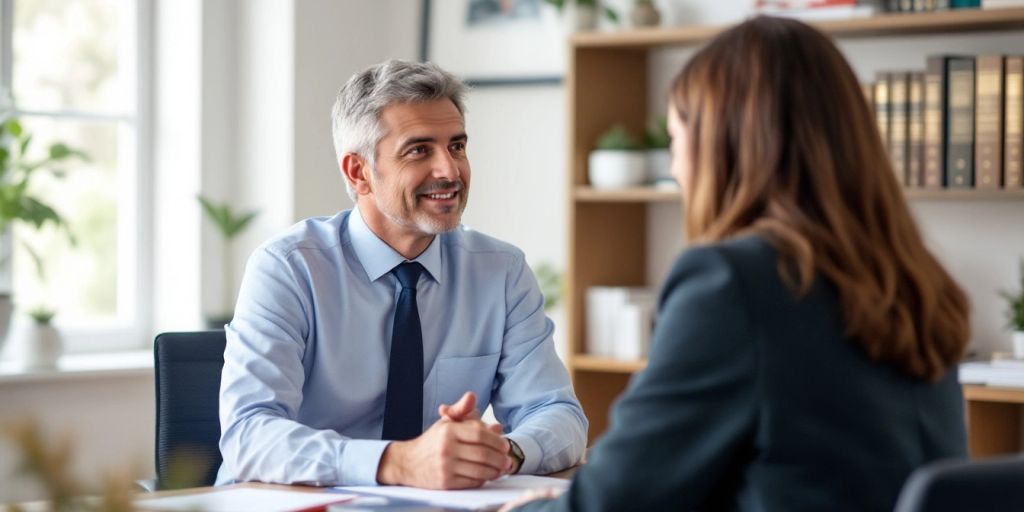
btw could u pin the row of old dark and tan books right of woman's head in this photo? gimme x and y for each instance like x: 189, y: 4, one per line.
x: 959, y: 124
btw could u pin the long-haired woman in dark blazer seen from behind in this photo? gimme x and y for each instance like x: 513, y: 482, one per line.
x: 805, y: 353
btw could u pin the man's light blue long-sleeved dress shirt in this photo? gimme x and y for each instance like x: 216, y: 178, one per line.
x: 307, y: 364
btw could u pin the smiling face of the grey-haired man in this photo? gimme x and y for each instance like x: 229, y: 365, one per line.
x: 421, y: 181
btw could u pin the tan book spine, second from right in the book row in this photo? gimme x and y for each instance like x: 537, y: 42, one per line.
x: 989, y: 122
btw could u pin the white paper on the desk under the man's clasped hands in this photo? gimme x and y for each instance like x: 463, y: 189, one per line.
x: 492, y: 496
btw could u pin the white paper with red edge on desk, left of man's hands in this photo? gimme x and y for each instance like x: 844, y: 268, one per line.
x: 246, y: 500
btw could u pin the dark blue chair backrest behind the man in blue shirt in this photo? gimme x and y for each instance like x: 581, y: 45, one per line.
x: 188, y: 370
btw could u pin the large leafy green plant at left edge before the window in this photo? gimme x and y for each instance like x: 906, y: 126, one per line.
x: 19, y: 204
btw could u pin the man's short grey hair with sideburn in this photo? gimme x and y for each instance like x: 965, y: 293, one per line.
x: 357, y: 114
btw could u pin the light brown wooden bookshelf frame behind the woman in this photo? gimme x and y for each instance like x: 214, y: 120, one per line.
x: 608, y: 83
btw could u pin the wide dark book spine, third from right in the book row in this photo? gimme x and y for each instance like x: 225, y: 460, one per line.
x: 960, y: 132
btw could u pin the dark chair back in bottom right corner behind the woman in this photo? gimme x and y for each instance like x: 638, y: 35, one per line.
x: 989, y: 485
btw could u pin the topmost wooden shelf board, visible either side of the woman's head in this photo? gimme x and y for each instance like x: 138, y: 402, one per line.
x: 883, y: 25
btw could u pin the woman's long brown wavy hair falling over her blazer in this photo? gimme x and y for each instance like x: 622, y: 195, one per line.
x: 783, y: 144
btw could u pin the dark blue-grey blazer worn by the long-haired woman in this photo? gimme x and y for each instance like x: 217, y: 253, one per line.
x: 753, y: 400
